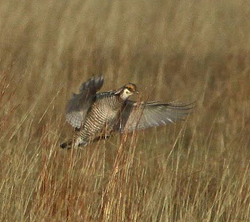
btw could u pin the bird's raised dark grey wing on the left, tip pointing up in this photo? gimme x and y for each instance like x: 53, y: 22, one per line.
x: 79, y: 104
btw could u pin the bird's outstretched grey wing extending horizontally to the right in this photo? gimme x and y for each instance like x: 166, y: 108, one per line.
x: 144, y: 115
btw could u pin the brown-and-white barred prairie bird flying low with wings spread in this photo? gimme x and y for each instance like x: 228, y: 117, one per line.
x: 98, y: 115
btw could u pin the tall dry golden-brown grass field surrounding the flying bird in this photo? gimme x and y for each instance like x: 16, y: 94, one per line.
x: 184, y: 50
